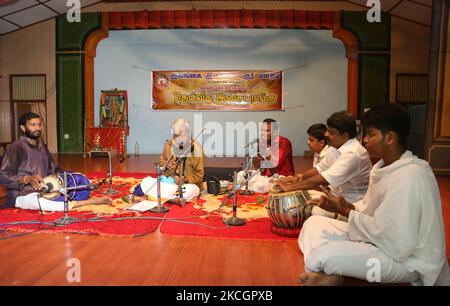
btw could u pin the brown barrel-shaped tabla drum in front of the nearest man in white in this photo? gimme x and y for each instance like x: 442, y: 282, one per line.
x: 289, y: 209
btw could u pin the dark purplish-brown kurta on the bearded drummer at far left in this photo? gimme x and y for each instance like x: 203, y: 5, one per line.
x: 22, y: 158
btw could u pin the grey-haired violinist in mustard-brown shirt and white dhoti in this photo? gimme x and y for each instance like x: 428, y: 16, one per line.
x: 183, y: 159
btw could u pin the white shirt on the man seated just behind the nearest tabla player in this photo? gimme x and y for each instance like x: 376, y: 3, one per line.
x: 348, y: 175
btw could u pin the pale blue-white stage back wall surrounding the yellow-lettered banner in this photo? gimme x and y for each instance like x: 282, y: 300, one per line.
x: 310, y: 94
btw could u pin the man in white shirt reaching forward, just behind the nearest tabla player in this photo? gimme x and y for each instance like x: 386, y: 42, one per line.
x: 347, y: 174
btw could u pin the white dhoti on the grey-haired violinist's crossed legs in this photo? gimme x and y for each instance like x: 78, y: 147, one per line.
x: 168, y: 191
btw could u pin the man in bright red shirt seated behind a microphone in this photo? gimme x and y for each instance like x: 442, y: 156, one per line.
x: 275, y: 151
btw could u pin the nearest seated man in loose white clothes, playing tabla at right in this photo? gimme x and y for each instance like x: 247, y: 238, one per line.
x: 398, y: 235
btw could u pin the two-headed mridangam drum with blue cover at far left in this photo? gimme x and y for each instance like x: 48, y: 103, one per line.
x: 74, y: 180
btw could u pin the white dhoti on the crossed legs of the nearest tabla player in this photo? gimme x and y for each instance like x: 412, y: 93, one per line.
x: 326, y: 247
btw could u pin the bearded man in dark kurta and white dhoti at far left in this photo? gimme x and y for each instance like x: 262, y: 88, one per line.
x: 25, y: 164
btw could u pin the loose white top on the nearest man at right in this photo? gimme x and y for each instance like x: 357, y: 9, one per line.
x: 402, y: 216
